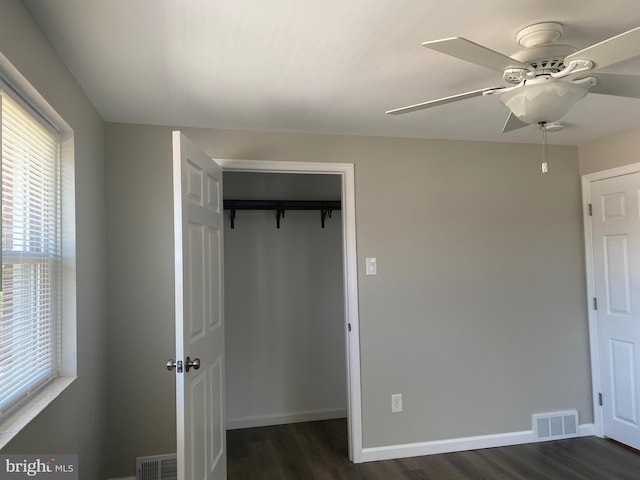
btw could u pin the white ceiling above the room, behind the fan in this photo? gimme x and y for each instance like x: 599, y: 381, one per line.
x: 330, y: 66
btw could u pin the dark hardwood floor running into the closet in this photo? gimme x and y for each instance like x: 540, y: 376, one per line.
x: 318, y: 451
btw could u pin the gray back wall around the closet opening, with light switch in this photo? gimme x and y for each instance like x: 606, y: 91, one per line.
x: 478, y: 313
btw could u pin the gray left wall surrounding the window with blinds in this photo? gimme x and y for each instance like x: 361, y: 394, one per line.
x: 75, y: 421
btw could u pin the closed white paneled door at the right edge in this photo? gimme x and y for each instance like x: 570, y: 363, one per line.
x: 616, y: 250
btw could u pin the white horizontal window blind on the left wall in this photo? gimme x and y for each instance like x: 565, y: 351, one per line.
x: 30, y: 306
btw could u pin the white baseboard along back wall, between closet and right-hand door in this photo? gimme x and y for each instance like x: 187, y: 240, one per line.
x: 391, y: 452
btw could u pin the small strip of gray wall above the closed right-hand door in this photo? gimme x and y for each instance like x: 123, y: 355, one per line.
x: 610, y: 152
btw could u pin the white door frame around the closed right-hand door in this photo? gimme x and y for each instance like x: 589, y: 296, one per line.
x: 596, y: 381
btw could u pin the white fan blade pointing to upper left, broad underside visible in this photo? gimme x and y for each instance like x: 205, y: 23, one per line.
x: 472, y: 52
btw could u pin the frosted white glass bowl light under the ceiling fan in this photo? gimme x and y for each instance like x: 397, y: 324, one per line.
x: 545, y: 101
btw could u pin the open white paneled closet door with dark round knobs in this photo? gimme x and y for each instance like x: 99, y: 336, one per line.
x: 198, y: 214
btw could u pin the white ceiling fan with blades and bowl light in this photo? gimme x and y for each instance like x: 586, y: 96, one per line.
x: 546, y: 78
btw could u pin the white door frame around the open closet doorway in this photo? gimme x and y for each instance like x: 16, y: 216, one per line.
x: 350, y: 274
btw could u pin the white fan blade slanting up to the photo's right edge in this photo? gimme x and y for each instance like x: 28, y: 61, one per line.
x: 610, y: 51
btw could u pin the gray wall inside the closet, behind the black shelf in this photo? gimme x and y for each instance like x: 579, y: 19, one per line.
x: 284, y: 305
